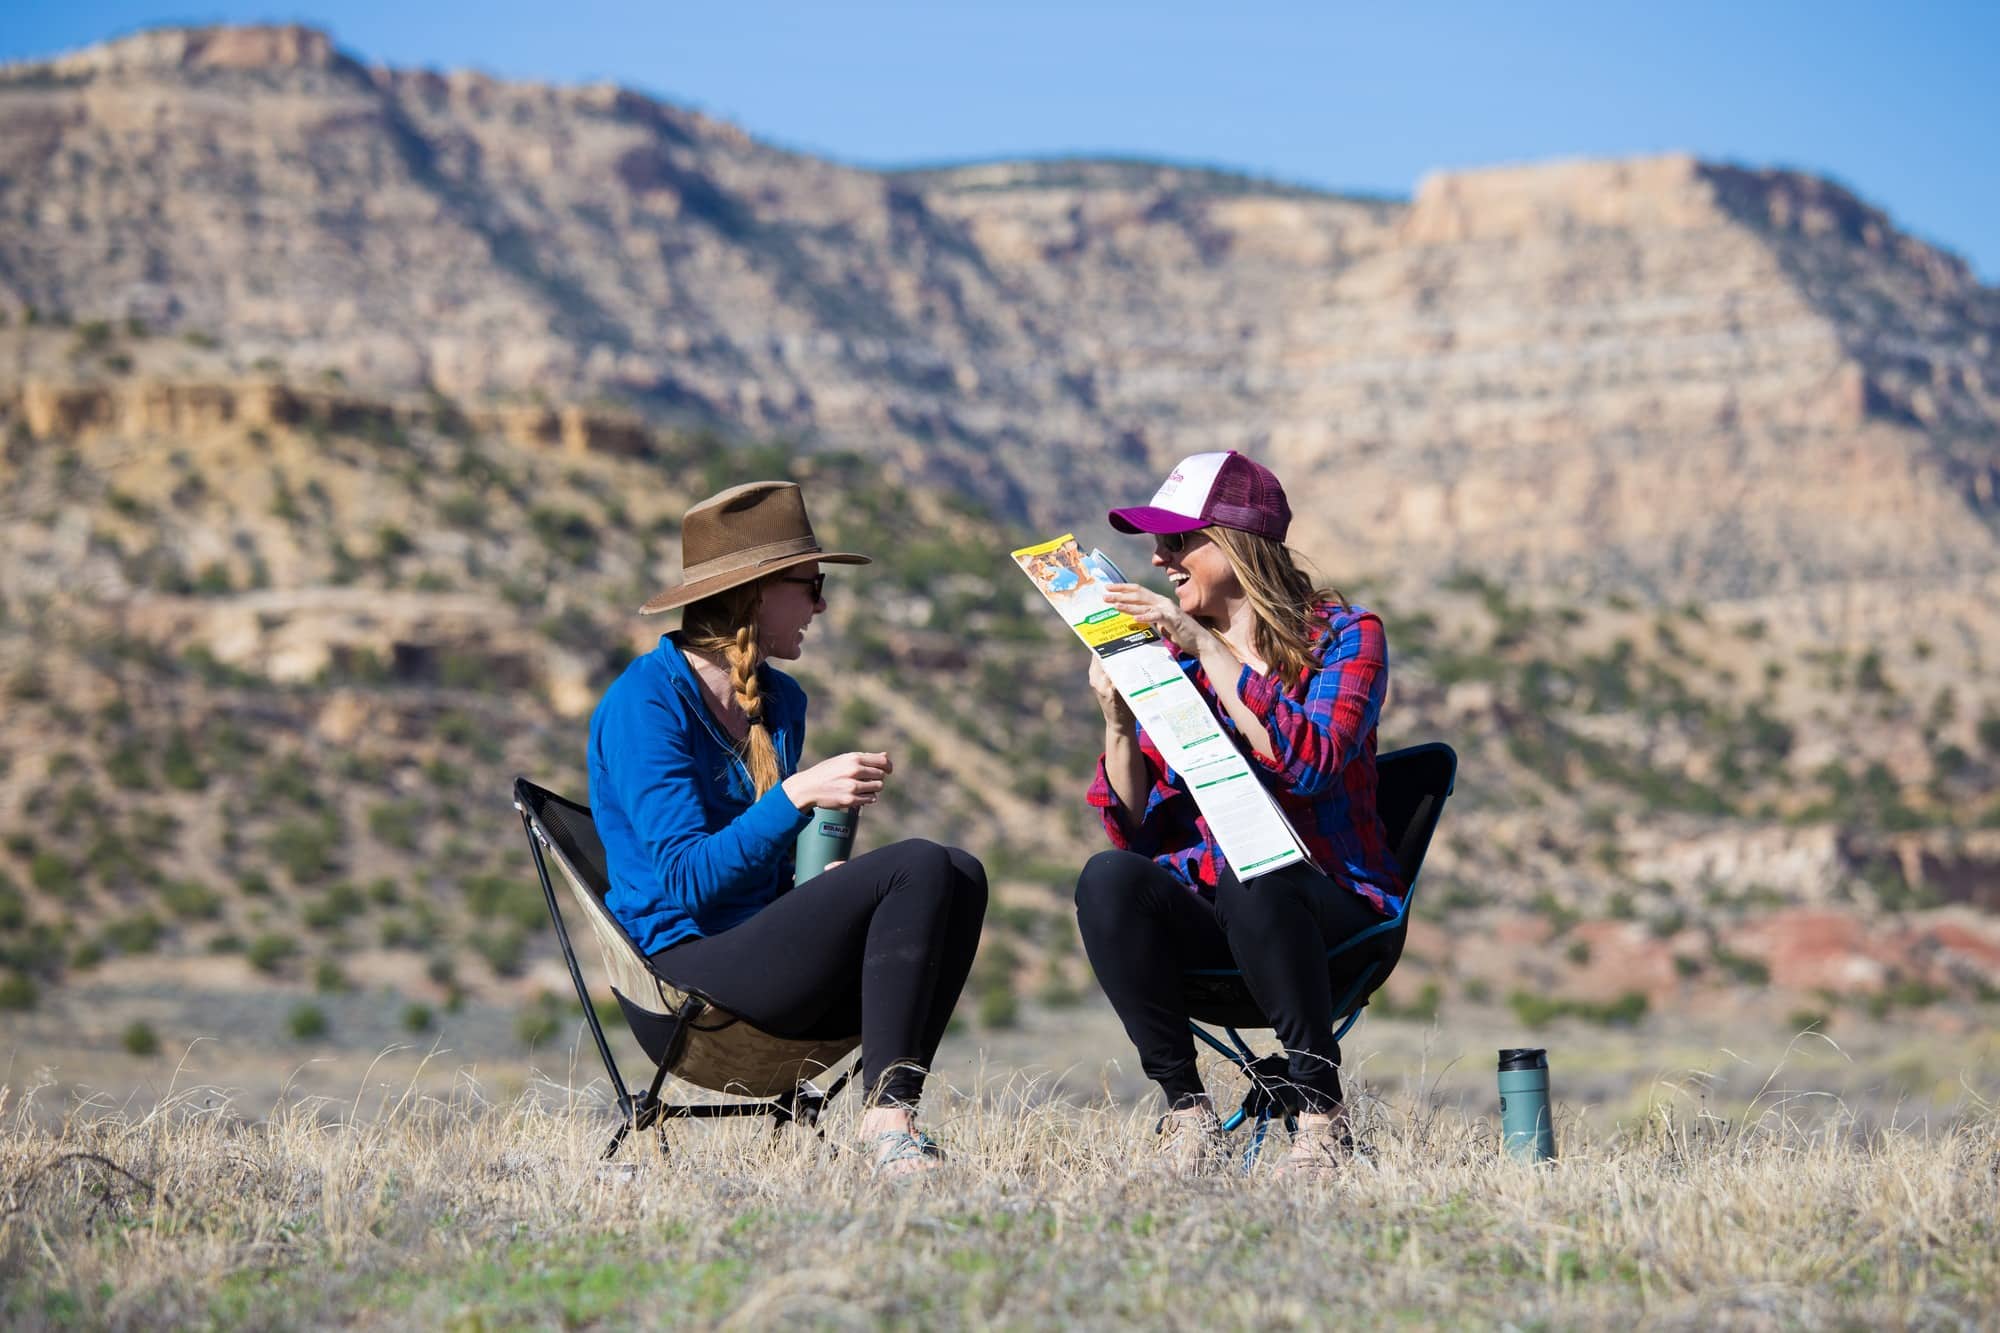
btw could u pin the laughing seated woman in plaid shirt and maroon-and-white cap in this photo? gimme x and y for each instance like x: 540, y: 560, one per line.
x: 1297, y: 678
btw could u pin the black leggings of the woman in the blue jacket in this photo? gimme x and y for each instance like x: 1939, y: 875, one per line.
x: 879, y: 946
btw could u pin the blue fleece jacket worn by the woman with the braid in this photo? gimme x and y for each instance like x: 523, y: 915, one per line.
x: 689, y: 844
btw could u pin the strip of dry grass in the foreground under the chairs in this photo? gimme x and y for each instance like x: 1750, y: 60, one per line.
x: 411, y: 1210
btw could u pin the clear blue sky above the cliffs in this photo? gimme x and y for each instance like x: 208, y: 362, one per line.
x: 1893, y: 101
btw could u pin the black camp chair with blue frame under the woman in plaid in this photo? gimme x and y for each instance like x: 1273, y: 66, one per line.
x: 1411, y: 792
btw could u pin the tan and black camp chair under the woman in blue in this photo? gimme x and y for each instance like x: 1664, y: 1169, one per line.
x: 681, y: 1032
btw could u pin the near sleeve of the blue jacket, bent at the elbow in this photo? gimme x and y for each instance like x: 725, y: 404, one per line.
x: 665, y: 794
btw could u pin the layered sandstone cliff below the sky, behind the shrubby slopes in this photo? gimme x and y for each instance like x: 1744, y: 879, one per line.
x: 1665, y: 377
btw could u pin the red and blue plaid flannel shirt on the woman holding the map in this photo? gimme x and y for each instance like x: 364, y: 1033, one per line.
x: 1323, y: 776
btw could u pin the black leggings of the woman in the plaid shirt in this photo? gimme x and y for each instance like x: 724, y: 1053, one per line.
x: 1143, y: 930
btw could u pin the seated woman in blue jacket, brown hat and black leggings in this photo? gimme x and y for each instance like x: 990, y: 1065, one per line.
x: 699, y: 798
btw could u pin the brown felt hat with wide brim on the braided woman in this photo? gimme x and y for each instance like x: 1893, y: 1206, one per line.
x: 739, y: 537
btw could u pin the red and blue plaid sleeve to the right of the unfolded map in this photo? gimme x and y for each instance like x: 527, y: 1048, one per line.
x: 1315, y: 738
